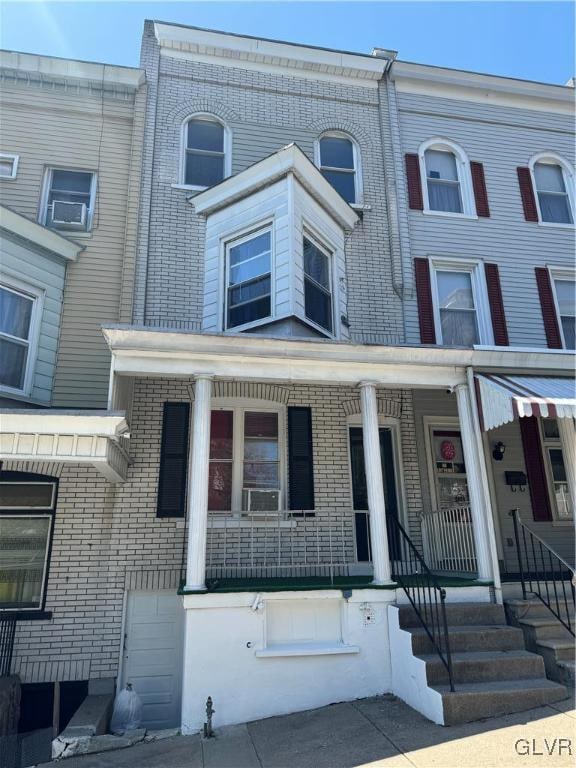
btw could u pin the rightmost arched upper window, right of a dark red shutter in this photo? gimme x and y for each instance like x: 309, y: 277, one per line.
x: 553, y: 184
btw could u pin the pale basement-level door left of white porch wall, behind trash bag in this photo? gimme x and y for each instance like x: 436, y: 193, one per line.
x: 153, y: 655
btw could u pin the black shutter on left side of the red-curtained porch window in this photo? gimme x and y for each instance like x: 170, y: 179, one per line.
x: 173, y: 460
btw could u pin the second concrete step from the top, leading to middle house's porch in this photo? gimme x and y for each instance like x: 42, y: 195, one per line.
x: 474, y: 637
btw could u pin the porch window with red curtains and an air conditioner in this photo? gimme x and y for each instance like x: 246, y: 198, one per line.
x: 244, y: 473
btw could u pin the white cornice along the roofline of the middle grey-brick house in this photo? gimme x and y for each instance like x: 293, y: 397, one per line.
x: 269, y: 55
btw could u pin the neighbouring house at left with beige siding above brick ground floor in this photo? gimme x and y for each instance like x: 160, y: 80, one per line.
x: 70, y: 160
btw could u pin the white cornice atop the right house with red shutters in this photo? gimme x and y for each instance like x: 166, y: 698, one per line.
x: 486, y: 89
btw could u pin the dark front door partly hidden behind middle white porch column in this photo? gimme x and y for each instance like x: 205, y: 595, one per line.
x: 360, y: 493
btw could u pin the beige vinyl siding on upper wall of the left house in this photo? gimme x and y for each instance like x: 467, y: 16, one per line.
x: 69, y: 126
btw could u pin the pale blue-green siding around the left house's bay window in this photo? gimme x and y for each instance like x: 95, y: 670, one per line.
x: 40, y: 270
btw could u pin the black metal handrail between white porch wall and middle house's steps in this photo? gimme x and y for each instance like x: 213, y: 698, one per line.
x: 427, y: 597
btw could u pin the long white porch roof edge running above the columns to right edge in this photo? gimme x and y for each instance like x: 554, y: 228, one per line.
x: 142, y: 351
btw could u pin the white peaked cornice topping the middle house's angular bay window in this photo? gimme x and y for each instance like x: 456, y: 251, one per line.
x: 290, y: 159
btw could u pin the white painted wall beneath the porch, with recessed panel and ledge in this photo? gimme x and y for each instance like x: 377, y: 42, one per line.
x: 225, y: 632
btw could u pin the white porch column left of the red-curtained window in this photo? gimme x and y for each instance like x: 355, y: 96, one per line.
x: 198, y: 485
